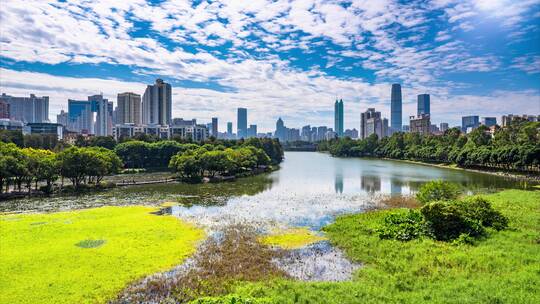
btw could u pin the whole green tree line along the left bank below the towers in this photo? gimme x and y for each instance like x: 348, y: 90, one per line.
x: 88, y: 164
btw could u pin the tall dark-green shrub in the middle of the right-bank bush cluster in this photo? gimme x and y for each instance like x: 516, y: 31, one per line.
x: 448, y: 220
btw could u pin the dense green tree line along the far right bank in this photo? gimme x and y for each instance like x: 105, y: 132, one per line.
x: 515, y: 148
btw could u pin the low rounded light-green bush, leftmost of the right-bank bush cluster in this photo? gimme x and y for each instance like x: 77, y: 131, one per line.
x: 402, y: 226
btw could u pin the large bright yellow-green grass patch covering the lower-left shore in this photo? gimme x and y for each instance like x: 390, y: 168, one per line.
x: 43, y: 258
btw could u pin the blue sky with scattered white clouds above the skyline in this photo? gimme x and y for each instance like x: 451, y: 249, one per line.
x: 279, y: 58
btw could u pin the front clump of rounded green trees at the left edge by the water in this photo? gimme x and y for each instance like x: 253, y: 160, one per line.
x: 29, y: 166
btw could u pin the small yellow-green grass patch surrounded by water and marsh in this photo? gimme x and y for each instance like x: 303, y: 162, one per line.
x: 292, y: 238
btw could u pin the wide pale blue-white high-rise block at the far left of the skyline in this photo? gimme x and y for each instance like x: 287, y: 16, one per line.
x: 27, y: 109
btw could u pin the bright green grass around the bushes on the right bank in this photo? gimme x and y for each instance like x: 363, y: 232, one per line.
x: 503, y: 268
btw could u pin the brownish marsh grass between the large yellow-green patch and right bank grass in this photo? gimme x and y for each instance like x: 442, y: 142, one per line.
x: 233, y: 256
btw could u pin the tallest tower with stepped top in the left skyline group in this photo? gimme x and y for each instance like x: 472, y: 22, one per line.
x: 157, y: 104
